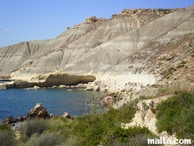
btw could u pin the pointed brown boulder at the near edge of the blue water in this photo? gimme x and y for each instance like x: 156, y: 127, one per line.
x: 38, y: 111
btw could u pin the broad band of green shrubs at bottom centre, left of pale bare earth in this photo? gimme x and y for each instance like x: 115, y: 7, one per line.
x: 101, y: 129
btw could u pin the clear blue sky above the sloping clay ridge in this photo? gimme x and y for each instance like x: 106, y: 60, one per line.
x: 24, y: 20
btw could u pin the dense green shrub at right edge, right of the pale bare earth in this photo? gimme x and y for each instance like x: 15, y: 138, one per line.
x: 176, y: 115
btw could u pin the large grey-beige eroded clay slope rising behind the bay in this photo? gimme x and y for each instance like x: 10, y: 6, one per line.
x: 130, y: 50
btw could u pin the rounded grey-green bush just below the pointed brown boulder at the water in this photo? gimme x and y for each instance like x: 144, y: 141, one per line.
x: 34, y: 126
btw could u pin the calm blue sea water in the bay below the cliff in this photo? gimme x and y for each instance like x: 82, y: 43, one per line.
x: 18, y: 102
